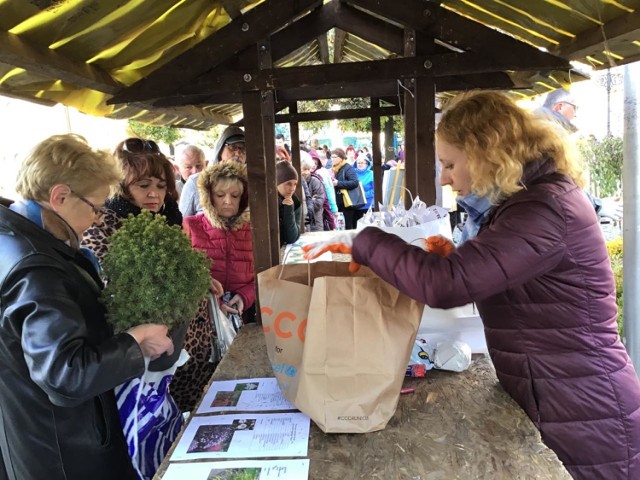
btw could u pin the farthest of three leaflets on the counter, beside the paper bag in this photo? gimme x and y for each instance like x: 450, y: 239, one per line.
x: 248, y: 395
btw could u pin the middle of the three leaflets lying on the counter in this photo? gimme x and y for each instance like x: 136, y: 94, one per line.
x: 246, y: 435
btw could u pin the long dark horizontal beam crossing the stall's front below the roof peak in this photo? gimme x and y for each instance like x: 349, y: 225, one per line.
x: 437, y: 65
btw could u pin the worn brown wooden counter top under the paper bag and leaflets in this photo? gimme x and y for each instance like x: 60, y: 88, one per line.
x: 455, y: 426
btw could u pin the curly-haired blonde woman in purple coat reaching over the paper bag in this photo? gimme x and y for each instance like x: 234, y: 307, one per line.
x: 540, y: 275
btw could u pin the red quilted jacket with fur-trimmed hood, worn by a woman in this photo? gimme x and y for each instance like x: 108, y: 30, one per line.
x: 227, y: 243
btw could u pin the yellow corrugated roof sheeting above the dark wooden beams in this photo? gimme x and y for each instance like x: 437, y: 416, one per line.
x: 82, y: 52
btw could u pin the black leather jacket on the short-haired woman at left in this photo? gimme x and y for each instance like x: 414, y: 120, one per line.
x: 59, y: 362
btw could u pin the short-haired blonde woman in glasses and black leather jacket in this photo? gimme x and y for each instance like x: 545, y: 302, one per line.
x: 59, y: 357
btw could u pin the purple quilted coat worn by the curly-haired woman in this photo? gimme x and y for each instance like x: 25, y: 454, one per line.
x: 540, y: 275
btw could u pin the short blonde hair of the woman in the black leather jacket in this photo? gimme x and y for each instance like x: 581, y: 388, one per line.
x: 69, y: 160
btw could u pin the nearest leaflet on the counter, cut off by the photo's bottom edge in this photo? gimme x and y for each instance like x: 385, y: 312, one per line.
x: 245, y: 469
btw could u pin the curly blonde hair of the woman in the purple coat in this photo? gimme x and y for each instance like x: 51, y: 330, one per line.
x: 500, y: 138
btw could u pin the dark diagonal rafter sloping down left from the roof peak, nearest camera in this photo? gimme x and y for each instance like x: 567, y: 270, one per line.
x: 259, y: 22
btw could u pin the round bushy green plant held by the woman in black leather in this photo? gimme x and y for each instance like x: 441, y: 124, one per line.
x: 153, y: 273
